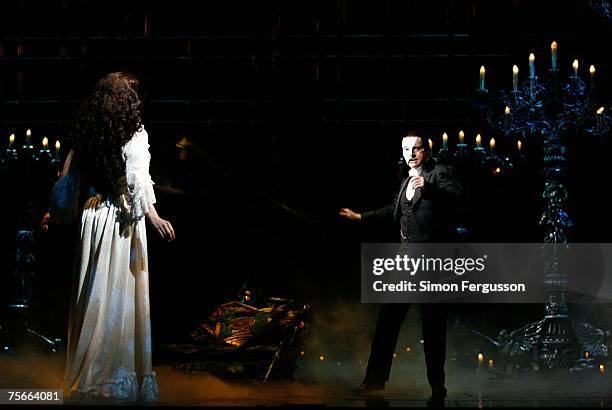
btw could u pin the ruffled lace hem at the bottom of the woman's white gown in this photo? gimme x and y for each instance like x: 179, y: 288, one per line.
x: 123, y: 389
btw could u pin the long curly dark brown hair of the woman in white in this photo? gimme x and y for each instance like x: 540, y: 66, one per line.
x: 106, y: 120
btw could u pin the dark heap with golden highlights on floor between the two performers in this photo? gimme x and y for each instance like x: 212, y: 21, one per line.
x: 239, y: 340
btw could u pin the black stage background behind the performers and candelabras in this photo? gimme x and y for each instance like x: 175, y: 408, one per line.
x: 291, y: 110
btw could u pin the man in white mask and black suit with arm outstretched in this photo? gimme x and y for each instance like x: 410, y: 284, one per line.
x: 423, y: 209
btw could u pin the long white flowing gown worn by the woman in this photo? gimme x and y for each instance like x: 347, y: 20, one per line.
x: 109, y: 336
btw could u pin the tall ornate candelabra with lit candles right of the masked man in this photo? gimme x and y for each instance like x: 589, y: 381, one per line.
x: 554, y: 110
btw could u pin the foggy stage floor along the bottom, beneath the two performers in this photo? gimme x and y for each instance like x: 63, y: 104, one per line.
x: 321, y: 386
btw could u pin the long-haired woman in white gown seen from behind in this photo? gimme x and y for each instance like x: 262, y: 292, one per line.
x: 107, y: 169
